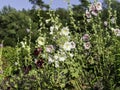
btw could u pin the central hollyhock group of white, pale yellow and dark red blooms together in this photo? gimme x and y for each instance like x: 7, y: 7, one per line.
x: 54, y: 53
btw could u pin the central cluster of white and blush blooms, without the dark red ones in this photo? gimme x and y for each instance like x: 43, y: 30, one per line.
x: 57, y: 52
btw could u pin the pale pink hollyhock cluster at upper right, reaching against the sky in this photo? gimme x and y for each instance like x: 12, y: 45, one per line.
x: 93, y: 9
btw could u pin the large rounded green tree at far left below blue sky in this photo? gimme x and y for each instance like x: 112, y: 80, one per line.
x: 13, y: 25
